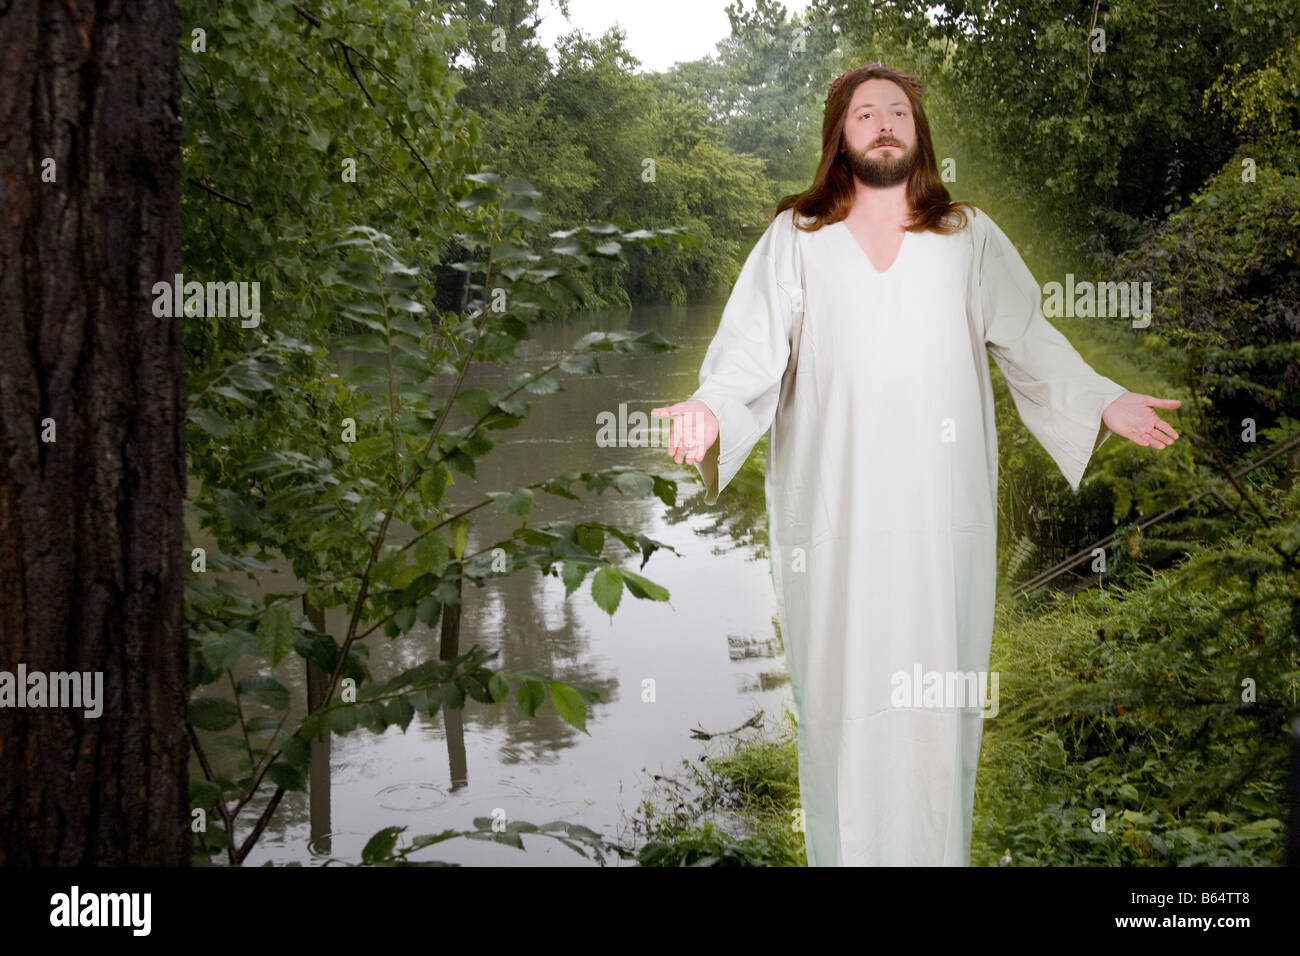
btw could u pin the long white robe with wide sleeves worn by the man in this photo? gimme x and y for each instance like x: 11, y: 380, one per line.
x: 882, y: 496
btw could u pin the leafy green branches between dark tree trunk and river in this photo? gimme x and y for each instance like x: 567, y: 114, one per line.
x: 304, y: 127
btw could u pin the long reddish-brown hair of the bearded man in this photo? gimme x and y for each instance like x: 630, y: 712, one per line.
x: 830, y: 197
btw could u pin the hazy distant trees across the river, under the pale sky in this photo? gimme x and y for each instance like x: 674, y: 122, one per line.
x: 599, y: 139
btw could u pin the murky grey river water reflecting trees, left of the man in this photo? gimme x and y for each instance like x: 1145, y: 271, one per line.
x: 713, y: 651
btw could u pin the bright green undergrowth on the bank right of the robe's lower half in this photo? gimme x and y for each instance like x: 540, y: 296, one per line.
x: 1163, y: 707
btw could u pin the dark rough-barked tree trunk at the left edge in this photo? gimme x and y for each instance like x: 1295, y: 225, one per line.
x: 92, y: 524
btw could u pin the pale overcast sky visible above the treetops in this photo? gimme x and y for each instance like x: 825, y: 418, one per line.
x: 660, y: 32
